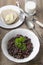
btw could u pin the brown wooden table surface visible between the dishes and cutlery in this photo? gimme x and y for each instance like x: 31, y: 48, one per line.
x: 38, y: 60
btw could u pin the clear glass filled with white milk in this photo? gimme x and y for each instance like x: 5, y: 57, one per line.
x: 30, y: 7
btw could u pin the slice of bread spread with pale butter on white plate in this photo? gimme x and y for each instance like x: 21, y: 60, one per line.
x: 9, y: 16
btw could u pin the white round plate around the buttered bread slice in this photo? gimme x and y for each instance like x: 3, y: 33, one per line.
x: 18, y: 23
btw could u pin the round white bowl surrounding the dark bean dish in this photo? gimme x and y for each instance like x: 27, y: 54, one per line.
x: 24, y: 32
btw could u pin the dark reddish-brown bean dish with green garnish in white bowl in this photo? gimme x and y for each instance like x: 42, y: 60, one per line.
x: 19, y: 46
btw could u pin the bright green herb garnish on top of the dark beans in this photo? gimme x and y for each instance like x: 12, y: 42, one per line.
x: 19, y: 42
